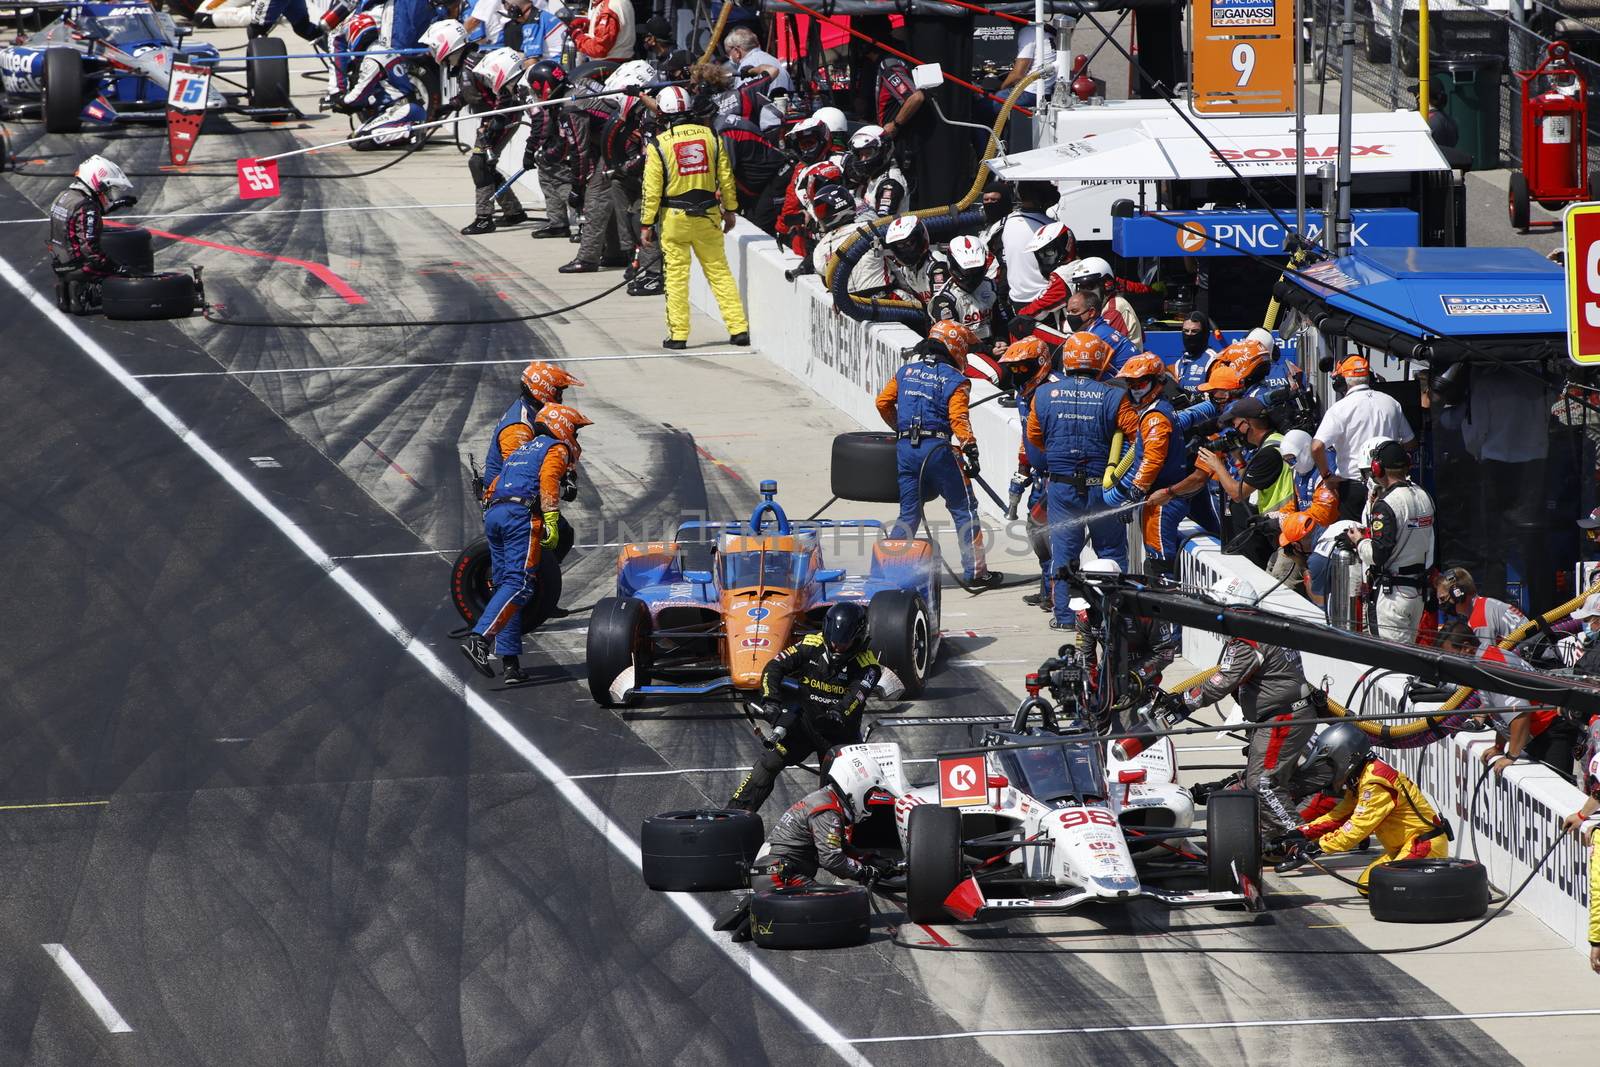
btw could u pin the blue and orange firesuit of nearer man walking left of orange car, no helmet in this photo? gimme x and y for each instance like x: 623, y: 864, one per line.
x: 524, y: 502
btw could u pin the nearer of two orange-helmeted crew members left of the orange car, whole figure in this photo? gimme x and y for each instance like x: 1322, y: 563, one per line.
x: 521, y: 521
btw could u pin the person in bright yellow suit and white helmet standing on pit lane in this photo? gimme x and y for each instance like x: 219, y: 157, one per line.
x: 686, y: 177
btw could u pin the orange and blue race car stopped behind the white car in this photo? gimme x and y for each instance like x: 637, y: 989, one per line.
x: 706, y: 612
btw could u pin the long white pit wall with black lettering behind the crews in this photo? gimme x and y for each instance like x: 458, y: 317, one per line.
x: 846, y: 362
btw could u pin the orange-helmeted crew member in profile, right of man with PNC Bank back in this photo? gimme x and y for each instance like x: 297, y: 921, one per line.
x: 1158, y: 462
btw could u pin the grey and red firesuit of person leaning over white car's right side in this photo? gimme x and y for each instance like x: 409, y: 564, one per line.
x: 1268, y: 684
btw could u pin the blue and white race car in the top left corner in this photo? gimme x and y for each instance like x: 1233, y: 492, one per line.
x: 108, y: 63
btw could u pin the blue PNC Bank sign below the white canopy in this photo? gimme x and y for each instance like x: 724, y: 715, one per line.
x: 1241, y: 233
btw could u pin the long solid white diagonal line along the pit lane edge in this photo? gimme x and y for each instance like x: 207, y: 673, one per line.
x: 743, y: 959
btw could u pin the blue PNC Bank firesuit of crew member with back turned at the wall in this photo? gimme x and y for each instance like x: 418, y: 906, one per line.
x: 1073, y: 420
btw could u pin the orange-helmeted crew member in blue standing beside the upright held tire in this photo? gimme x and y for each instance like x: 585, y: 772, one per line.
x: 926, y: 406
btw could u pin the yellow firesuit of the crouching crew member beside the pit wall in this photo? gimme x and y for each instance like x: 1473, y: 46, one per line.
x: 1388, y: 805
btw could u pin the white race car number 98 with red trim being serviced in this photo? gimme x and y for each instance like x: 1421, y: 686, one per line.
x: 1057, y: 821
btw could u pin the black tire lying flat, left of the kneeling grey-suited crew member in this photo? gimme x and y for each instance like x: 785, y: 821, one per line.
x: 695, y: 852
